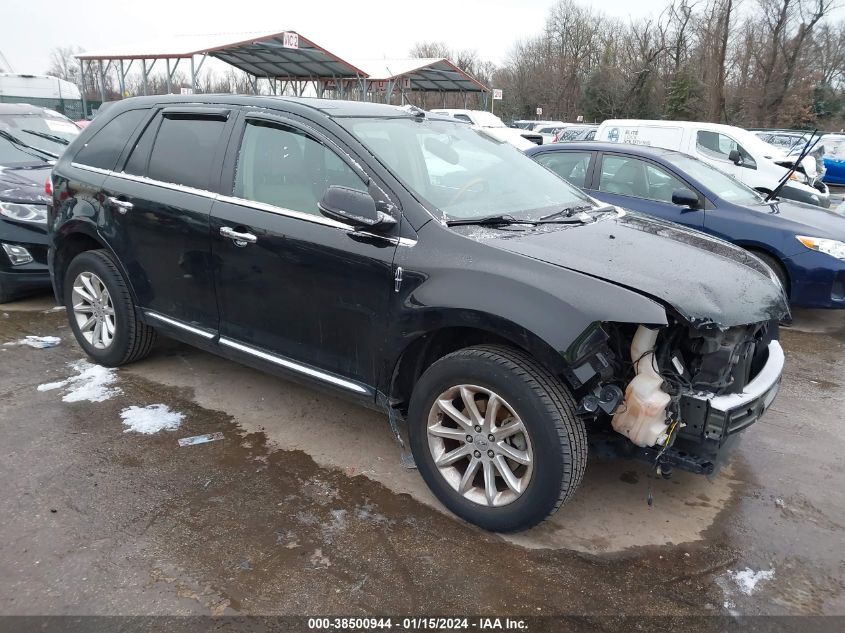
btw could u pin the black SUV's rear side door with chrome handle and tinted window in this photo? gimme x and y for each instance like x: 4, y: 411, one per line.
x: 159, y: 207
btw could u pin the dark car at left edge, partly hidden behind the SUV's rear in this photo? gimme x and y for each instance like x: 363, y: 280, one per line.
x: 30, y: 139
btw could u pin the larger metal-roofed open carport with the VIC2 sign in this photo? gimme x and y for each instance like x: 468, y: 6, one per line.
x: 285, y: 59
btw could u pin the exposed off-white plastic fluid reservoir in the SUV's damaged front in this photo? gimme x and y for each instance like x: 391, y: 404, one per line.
x: 642, y: 416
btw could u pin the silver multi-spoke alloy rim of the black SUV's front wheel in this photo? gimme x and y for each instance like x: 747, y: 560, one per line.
x: 480, y: 445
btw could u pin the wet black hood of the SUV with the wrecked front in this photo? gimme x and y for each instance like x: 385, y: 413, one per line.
x: 706, y: 280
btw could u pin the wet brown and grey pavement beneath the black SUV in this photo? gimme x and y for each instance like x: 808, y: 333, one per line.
x: 304, y: 507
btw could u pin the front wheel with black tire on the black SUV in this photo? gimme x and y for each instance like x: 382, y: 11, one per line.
x: 553, y: 437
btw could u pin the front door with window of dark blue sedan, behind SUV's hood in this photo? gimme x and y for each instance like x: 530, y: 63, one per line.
x: 635, y: 183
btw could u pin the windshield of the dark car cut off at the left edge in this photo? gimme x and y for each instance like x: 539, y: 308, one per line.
x: 50, y: 132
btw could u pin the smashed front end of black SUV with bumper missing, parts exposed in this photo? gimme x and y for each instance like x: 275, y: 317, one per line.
x: 680, y: 393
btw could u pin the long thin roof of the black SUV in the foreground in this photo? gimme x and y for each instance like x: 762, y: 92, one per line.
x: 329, y: 107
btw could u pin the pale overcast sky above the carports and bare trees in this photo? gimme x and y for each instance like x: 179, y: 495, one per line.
x: 360, y: 29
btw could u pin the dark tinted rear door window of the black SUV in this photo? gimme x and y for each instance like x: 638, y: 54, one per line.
x: 184, y: 150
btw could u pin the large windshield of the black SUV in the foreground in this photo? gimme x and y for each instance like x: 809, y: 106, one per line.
x: 463, y: 171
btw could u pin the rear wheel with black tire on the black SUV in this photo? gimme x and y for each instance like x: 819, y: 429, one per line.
x: 130, y: 339
